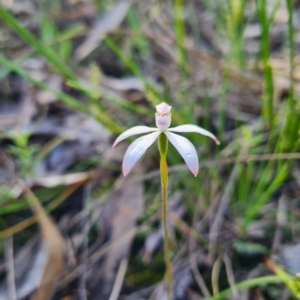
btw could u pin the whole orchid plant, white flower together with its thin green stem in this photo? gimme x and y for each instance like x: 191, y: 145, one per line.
x: 184, y: 147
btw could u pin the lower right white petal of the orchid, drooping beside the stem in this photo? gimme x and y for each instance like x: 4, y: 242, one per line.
x: 186, y: 150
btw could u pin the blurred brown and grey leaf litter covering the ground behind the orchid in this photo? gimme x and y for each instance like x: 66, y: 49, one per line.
x: 97, y: 243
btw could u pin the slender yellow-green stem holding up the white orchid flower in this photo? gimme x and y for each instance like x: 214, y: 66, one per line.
x: 163, y: 148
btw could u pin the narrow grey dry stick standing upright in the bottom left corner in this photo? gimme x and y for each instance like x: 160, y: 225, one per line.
x: 10, y: 277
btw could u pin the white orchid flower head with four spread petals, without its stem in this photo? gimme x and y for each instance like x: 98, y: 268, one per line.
x: 163, y: 121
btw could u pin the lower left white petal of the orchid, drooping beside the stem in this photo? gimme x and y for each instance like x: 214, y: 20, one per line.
x: 137, y: 149
